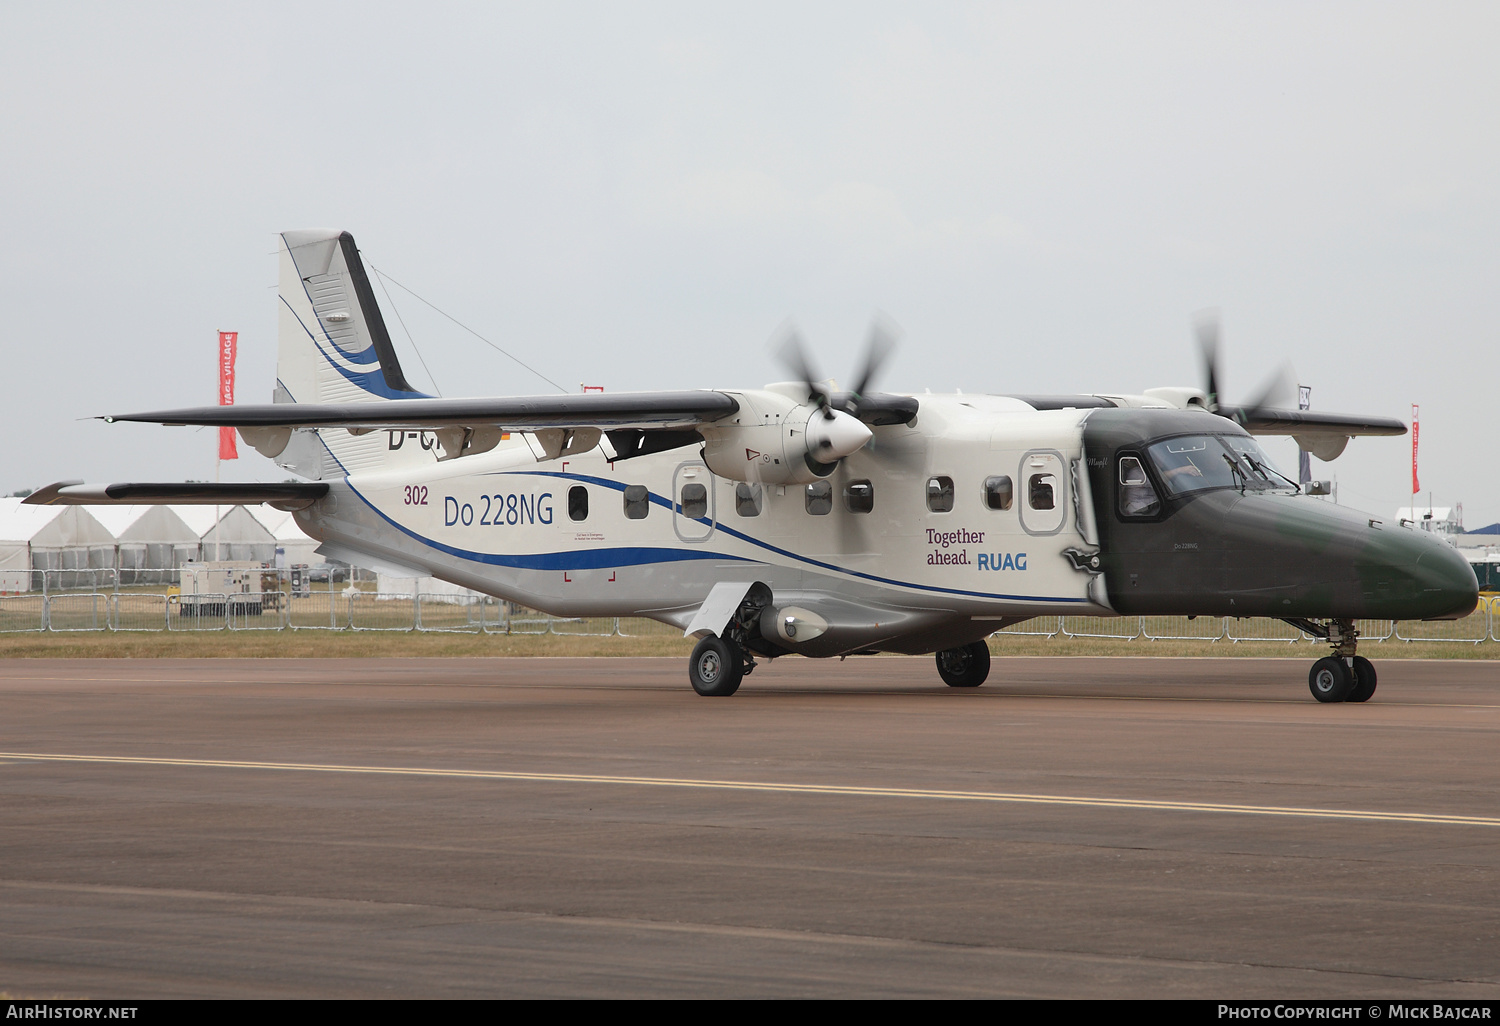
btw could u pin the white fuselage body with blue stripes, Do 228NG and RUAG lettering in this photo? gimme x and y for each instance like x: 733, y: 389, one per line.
x: 505, y: 524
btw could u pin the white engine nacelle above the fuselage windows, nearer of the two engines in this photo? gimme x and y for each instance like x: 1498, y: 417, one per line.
x: 778, y: 440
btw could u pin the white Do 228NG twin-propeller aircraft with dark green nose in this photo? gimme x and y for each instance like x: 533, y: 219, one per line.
x: 800, y: 520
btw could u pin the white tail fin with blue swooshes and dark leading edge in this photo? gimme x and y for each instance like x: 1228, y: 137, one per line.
x: 332, y: 347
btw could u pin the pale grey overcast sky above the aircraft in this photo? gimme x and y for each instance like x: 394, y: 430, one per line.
x: 635, y: 196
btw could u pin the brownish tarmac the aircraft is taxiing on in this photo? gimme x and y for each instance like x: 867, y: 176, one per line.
x: 551, y: 827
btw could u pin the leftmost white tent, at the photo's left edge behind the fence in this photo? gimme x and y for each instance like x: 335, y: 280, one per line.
x: 50, y: 538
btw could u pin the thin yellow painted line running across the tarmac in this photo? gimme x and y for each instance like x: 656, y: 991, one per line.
x: 851, y: 791
